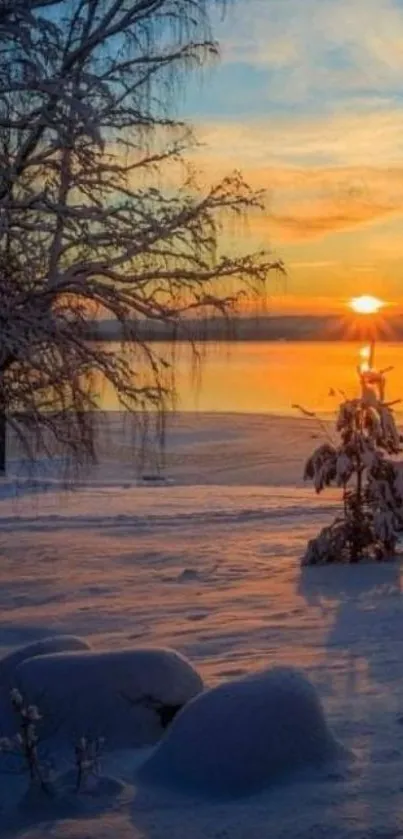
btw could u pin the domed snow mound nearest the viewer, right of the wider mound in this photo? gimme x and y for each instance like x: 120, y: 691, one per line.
x: 243, y: 735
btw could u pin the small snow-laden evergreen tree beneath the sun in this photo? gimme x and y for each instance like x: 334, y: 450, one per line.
x: 372, y: 482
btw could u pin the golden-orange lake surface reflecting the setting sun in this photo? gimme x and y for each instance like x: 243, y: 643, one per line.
x: 271, y: 377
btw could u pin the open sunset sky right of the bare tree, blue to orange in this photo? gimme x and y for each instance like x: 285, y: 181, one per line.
x: 308, y: 102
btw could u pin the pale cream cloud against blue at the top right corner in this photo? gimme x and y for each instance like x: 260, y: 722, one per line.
x: 318, y: 44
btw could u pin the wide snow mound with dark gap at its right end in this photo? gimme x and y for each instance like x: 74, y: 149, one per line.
x: 125, y: 696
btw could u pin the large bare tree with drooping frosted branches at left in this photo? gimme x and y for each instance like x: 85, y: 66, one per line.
x: 99, y: 215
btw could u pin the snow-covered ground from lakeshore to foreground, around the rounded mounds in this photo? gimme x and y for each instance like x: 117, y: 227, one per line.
x: 211, y: 567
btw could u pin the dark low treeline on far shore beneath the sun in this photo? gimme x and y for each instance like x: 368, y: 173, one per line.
x: 251, y: 328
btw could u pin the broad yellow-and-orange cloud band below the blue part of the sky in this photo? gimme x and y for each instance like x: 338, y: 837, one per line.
x: 321, y: 176
